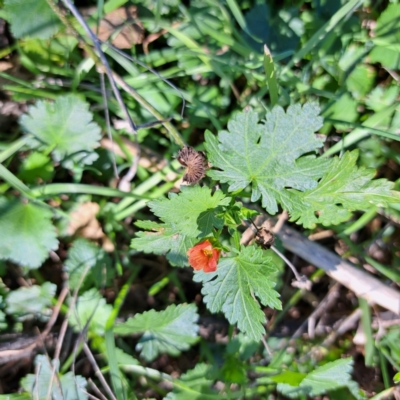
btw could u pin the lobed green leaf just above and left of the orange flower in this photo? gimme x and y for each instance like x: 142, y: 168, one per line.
x: 189, y: 215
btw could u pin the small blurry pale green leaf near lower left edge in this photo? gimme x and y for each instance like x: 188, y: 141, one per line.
x: 33, y: 301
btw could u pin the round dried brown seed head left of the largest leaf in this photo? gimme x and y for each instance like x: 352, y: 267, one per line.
x: 195, y: 162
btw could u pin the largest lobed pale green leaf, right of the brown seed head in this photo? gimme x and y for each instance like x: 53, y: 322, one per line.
x: 264, y: 155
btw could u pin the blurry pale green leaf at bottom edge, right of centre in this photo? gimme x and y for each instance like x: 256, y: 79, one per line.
x: 331, y: 376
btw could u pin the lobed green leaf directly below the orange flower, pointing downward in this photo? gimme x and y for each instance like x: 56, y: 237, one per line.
x: 236, y: 284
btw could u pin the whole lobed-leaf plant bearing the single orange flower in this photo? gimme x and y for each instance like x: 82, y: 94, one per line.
x: 273, y: 161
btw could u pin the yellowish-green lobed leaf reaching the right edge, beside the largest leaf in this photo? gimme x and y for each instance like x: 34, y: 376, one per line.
x: 343, y: 189
